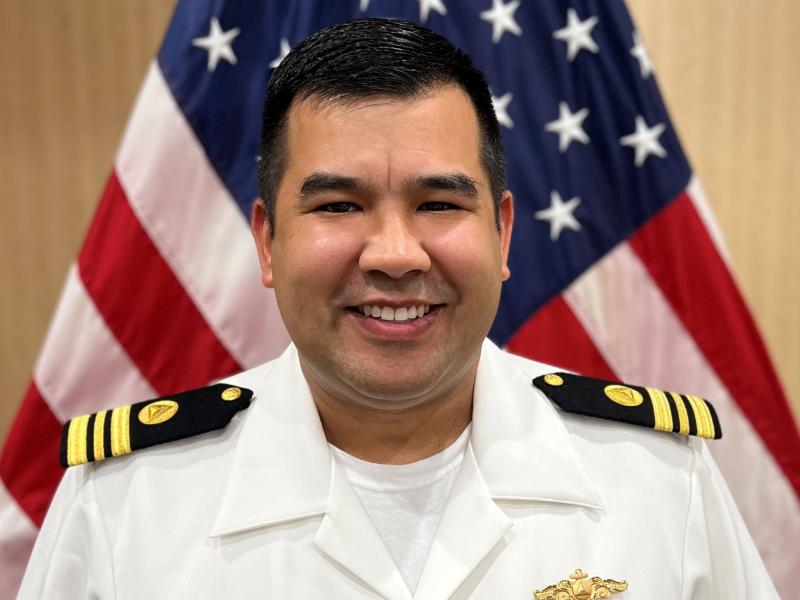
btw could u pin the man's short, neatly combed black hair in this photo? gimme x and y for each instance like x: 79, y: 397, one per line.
x: 367, y: 58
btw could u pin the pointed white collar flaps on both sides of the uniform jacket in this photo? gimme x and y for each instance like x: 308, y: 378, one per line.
x: 520, y: 444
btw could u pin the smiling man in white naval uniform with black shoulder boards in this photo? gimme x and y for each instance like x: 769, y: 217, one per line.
x: 390, y: 451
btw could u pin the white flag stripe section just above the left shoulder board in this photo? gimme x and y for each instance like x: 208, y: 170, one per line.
x: 82, y: 368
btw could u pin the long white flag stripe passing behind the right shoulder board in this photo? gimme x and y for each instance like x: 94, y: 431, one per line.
x: 624, y: 312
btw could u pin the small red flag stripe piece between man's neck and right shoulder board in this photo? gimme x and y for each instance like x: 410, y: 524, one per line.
x: 555, y: 336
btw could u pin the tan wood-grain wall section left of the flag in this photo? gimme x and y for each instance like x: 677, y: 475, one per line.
x: 69, y: 73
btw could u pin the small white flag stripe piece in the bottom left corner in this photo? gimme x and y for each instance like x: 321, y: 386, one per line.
x: 17, y: 536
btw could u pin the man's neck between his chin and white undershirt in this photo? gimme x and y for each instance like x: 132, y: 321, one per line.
x: 398, y: 436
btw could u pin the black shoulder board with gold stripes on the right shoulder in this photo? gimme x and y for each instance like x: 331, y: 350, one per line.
x: 644, y: 406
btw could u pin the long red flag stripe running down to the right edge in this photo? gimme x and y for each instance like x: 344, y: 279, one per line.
x: 676, y: 249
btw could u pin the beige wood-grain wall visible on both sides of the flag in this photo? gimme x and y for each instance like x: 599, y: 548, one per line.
x: 70, y: 70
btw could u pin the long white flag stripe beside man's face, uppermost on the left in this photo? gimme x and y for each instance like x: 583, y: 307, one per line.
x: 196, y: 226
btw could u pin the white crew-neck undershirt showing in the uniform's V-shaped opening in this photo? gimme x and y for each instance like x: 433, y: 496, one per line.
x: 406, y: 502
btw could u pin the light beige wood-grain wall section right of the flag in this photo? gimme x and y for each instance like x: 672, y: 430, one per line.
x: 729, y: 72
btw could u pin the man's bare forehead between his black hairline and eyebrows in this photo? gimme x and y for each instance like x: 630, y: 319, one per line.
x: 385, y: 139
